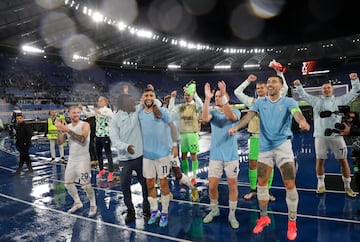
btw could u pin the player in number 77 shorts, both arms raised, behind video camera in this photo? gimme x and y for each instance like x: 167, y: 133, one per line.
x: 336, y: 143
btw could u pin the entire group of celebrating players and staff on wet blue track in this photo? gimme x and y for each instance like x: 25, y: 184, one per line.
x: 147, y: 135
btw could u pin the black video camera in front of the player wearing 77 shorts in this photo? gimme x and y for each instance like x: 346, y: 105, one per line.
x: 346, y: 115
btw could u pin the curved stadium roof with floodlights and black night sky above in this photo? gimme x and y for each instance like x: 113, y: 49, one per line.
x: 186, y: 35
